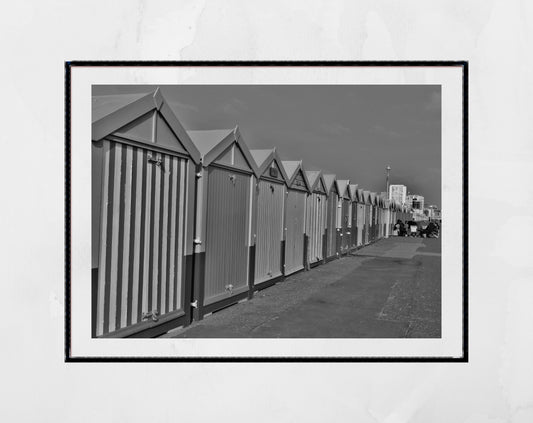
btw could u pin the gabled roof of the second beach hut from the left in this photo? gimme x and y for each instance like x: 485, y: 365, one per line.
x: 212, y: 143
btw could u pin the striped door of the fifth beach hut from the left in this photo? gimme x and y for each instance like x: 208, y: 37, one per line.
x: 316, y: 221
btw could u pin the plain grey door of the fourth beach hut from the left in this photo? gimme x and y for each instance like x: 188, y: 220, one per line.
x: 294, y: 241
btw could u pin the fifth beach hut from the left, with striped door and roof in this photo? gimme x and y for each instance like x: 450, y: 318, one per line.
x: 316, y: 218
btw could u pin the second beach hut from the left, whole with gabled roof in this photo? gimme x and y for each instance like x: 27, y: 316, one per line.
x: 223, y: 237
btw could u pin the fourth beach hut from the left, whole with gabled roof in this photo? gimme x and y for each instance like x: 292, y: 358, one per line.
x: 297, y: 190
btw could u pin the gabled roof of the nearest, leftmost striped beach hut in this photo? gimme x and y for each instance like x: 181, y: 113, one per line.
x: 113, y: 112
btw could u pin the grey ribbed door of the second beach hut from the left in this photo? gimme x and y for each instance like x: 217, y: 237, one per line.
x: 226, y: 253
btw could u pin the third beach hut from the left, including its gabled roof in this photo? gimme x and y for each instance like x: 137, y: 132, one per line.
x: 269, y: 208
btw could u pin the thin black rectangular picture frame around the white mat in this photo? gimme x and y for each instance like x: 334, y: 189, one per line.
x: 69, y: 65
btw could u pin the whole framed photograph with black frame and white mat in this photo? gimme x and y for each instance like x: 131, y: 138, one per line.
x: 266, y: 211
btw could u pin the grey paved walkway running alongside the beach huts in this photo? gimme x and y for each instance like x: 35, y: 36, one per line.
x: 390, y: 289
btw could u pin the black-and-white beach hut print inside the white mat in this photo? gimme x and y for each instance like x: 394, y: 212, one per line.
x: 267, y: 211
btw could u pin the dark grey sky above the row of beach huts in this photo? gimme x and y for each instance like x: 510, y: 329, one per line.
x: 353, y: 131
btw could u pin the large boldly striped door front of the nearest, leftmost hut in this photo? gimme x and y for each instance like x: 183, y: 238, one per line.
x: 141, y: 239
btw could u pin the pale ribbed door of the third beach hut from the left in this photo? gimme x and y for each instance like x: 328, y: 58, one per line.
x: 270, y: 199
